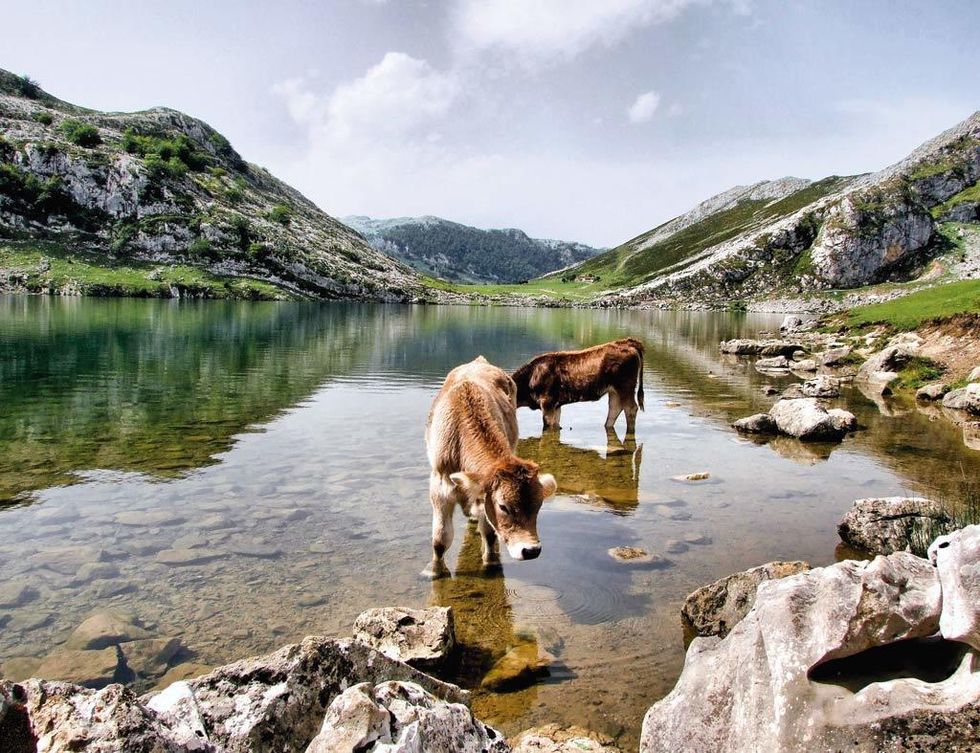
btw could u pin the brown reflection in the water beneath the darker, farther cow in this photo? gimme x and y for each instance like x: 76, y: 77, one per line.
x: 610, y: 478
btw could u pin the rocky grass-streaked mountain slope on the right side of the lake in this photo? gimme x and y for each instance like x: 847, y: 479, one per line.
x: 787, y: 236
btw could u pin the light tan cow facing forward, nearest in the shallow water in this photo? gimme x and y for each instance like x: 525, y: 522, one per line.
x: 470, y: 439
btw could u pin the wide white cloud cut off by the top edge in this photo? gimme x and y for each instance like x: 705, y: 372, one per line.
x: 544, y: 30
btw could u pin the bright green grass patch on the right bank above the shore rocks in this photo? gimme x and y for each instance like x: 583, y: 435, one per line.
x: 911, y: 311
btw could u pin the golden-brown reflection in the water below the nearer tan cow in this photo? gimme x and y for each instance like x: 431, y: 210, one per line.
x: 489, y: 647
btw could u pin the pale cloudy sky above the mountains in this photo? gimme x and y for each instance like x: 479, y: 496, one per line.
x: 588, y: 120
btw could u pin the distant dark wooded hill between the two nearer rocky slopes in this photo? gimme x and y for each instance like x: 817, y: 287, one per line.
x: 462, y: 253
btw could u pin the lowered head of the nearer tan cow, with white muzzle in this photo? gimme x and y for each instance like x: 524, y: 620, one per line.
x: 511, y: 497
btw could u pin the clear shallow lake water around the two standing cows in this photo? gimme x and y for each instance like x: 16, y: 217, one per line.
x: 279, y: 448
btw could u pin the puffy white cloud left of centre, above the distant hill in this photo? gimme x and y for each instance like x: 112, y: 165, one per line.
x: 399, y: 95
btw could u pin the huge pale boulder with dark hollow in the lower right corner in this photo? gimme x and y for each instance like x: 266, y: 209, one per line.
x: 757, y: 688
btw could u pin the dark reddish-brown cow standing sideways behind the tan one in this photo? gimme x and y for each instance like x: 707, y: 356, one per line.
x: 551, y: 380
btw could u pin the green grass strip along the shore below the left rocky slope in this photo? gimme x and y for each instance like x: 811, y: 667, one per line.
x: 94, y: 273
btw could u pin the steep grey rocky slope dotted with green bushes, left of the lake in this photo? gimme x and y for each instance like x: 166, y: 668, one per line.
x: 162, y: 188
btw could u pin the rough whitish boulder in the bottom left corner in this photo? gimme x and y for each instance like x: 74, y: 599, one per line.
x: 65, y: 717
